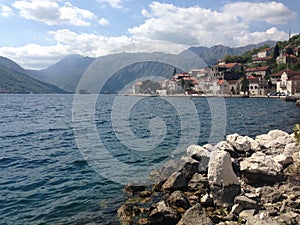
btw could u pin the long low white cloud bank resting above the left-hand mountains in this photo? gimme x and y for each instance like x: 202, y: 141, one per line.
x: 34, y: 56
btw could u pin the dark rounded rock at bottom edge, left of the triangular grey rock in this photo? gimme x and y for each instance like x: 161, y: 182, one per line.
x: 162, y: 214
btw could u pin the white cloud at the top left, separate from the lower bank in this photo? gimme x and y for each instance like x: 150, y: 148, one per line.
x: 51, y: 13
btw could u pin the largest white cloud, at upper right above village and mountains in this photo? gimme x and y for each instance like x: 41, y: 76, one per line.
x: 199, y: 26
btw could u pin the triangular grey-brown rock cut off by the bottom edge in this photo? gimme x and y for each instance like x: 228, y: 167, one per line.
x: 195, y: 216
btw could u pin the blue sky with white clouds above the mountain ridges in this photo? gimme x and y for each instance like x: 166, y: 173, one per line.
x: 38, y: 33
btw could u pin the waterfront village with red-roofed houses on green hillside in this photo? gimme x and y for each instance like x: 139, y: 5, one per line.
x: 266, y: 71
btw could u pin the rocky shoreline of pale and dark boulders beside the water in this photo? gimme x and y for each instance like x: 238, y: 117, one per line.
x: 238, y: 181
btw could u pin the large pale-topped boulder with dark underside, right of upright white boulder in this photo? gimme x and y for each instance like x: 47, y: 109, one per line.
x: 261, y: 168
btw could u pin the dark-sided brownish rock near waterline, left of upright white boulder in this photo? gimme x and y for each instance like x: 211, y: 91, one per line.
x: 176, y: 181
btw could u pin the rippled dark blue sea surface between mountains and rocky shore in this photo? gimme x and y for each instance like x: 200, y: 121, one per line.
x: 61, y: 163
